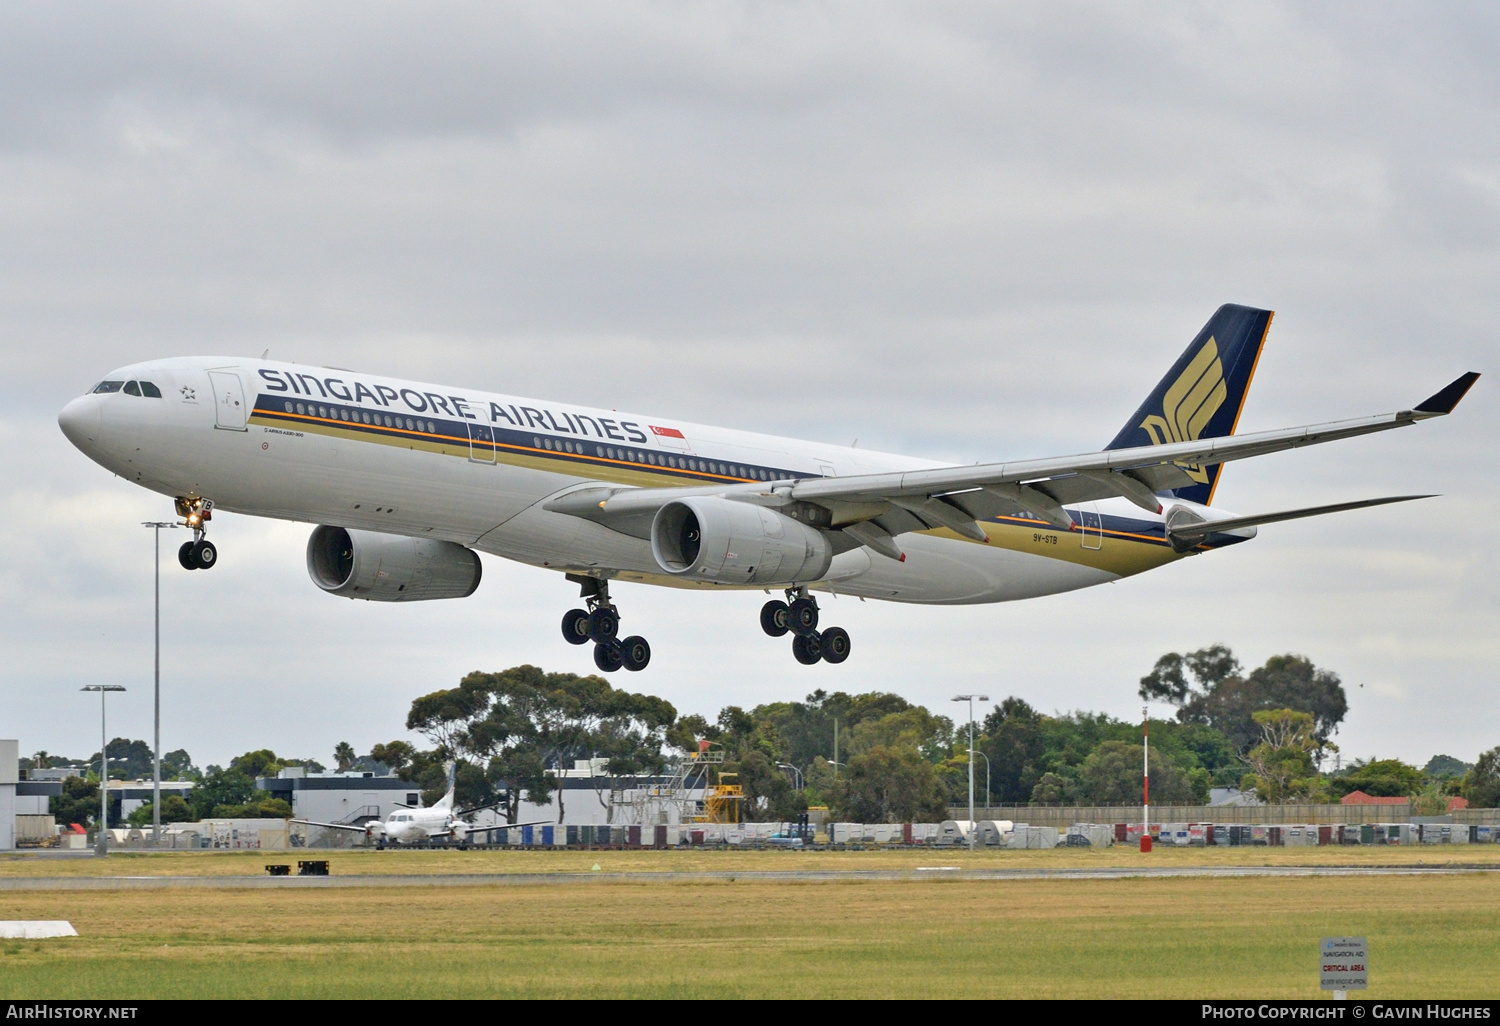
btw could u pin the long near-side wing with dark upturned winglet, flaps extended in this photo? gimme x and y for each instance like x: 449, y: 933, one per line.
x: 875, y: 508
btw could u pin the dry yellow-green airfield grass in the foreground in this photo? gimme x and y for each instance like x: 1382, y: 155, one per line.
x: 1129, y: 938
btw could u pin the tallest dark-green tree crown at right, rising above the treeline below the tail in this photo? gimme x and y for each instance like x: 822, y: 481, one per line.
x: 1208, y: 688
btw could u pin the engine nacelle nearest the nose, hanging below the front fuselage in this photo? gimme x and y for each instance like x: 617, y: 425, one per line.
x: 388, y: 568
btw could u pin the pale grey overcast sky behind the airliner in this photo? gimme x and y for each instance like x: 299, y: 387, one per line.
x: 964, y: 232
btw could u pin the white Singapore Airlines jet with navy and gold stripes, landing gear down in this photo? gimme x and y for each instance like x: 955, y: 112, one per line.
x: 407, y: 481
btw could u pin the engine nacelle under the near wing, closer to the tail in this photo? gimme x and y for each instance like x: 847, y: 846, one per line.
x: 716, y: 539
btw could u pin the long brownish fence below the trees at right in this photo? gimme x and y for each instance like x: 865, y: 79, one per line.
x: 1064, y: 817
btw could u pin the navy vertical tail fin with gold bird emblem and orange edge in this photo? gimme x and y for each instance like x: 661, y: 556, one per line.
x: 1204, y: 394
